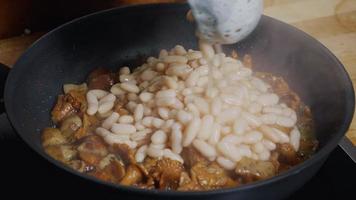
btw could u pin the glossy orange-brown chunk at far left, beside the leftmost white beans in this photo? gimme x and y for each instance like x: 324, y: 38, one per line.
x: 68, y: 104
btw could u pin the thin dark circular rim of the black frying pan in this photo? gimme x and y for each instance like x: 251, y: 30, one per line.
x: 319, y: 155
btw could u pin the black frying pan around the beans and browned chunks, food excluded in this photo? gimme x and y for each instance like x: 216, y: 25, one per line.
x: 123, y: 36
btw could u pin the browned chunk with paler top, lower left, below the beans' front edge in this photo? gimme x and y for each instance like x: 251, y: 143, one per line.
x: 110, y: 169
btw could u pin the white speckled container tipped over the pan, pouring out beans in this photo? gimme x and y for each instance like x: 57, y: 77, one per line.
x: 225, y: 21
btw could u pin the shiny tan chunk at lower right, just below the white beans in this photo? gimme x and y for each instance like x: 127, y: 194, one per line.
x: 252, y: 170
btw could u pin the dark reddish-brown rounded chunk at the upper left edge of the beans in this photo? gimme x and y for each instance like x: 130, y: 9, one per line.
x: 100, y: 78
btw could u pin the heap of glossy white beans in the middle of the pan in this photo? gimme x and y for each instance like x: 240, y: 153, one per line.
x: 198, y: 98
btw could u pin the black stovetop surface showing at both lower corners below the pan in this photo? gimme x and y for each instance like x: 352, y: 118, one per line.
x: 23, y: 172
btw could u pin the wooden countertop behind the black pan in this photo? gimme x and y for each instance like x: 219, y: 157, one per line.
x: 332, y: 22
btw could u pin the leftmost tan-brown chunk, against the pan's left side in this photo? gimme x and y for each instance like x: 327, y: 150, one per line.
x: 52, y: 136
